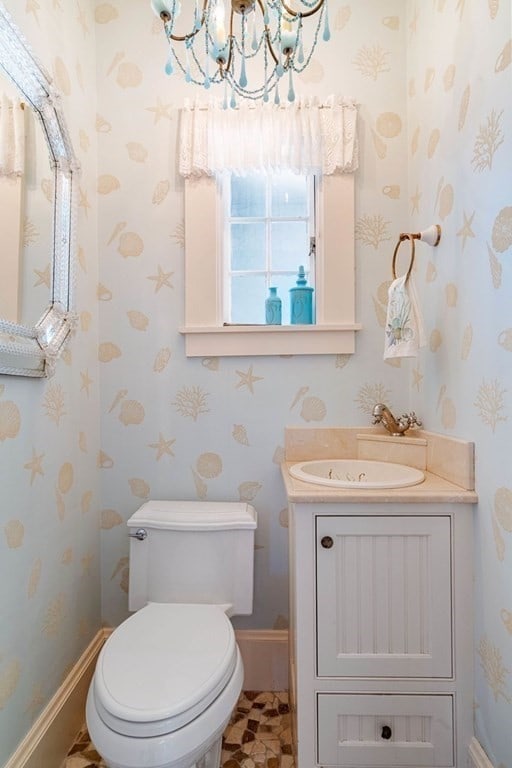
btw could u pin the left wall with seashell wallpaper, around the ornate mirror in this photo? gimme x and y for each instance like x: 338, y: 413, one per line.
x: 49, y: 433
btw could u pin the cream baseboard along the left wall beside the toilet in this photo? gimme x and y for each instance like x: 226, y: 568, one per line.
x: 48, y: 741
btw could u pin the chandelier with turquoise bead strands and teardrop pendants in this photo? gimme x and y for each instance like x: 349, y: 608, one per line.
x: 258, y: 40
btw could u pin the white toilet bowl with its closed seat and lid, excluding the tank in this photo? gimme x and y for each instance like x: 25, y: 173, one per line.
x: 164, y: 688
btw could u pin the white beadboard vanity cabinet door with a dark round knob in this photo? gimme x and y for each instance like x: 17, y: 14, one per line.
x: 384, y: 596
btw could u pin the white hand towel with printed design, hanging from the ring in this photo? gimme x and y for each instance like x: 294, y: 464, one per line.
x: 404, y: 323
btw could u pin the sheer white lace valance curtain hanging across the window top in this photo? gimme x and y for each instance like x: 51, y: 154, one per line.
x: 306, y: 137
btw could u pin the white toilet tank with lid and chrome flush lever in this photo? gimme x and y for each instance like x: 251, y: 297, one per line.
x: 193, y: 552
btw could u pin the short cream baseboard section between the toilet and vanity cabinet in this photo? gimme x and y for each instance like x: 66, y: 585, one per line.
x: 265, y: 656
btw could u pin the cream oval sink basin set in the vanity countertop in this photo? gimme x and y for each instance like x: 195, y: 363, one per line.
x: 356, y: 473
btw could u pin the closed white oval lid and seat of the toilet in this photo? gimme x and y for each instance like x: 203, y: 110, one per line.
x: 163, y: 666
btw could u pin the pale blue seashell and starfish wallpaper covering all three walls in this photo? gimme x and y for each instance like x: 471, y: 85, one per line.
x: 128, y: 417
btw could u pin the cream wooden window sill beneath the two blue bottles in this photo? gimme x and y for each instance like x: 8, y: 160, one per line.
x: 247, y: 340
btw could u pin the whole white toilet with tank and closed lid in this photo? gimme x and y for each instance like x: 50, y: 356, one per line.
x: 168, y: 678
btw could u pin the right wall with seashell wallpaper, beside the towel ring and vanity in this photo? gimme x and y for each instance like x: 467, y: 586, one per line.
x: 460, y: 164
